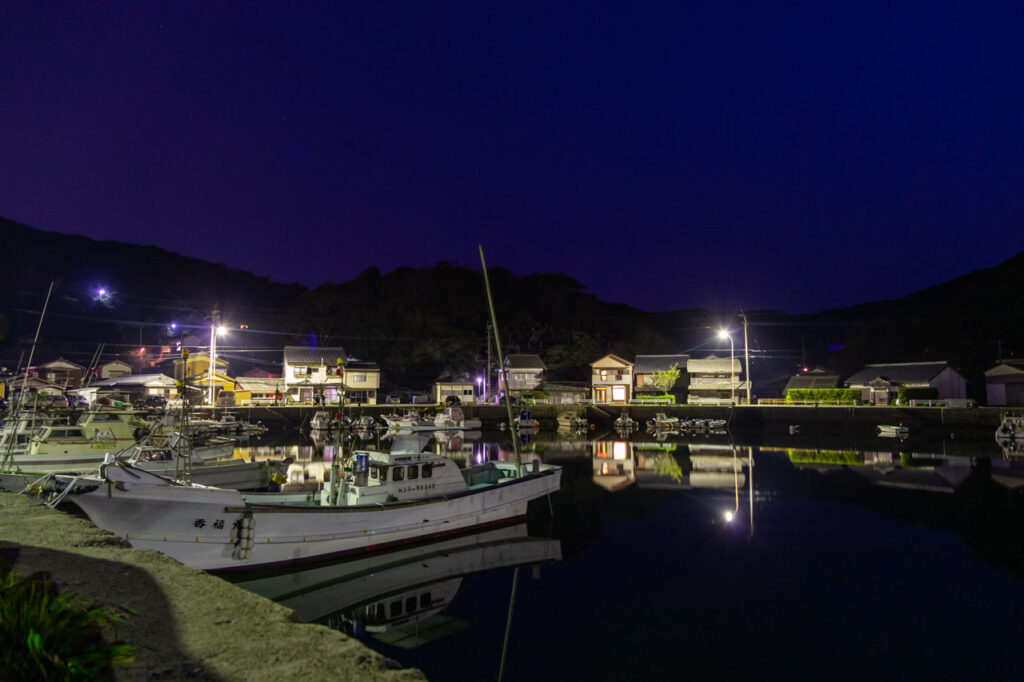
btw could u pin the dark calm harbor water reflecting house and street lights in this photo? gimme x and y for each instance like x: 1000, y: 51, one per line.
x: 706, y: 558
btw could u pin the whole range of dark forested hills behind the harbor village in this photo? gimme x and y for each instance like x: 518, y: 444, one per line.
x: 422, y: 324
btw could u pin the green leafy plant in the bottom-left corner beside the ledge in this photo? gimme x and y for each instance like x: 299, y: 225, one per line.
x: 50, y: 636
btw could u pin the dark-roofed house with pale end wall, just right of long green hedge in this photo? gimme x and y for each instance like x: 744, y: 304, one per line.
x: 880, y: 383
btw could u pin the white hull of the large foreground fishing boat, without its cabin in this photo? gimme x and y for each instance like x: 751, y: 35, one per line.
x: 221, y: 530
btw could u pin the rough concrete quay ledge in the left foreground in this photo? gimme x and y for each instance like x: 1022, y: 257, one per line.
x: 184, y: 623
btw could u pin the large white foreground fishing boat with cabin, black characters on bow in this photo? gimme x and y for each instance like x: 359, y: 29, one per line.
x: 392, y: 500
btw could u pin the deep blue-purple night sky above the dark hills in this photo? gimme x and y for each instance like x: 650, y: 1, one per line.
x: 667, y: 156
